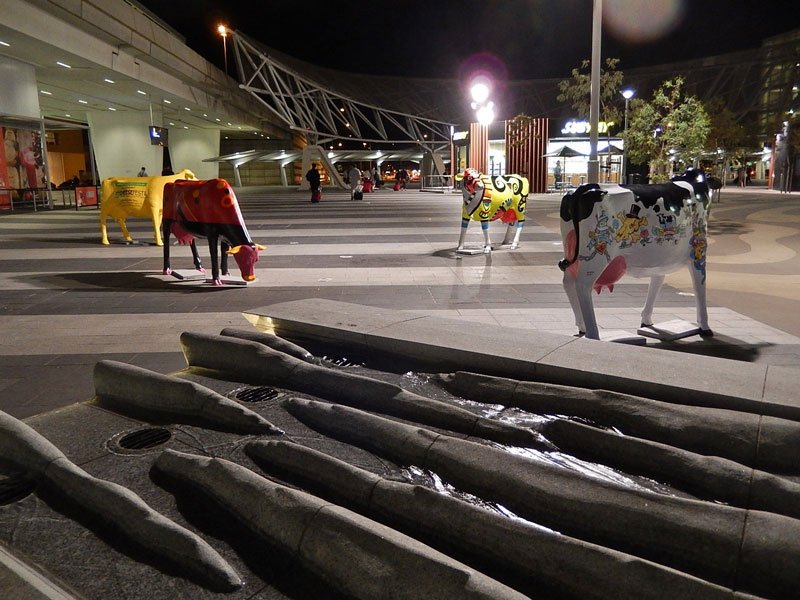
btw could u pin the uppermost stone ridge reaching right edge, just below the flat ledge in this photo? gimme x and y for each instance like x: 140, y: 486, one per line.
x: 761, y: 442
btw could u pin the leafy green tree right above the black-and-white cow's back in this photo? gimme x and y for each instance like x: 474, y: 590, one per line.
x: 671, y: 127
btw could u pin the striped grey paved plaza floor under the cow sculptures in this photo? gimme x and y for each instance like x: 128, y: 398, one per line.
x: 66, y: 301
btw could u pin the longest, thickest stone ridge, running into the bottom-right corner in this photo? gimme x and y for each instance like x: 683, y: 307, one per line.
x: 748, y: 550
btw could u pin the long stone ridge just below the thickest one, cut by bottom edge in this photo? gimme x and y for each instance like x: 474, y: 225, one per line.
x: 539, y: 557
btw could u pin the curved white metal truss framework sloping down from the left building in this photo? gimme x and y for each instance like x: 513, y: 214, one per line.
x: 323, y: 113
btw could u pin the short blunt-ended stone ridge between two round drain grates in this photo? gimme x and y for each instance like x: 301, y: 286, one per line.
x: 175, y: 398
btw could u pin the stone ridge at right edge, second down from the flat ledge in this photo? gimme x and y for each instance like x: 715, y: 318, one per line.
x: 707, y: 477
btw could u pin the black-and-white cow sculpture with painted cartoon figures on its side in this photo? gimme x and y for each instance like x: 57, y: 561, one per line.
x: 644, y: 230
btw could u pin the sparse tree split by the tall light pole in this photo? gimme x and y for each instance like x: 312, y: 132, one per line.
x: 577, y: 91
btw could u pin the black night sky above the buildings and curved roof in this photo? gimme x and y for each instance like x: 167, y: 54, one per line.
x: 520, y: 39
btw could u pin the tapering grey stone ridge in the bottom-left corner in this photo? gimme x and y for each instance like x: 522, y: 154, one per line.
x: 25, y: 449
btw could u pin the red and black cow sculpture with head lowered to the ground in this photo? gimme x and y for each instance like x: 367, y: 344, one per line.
x: 208, y: 209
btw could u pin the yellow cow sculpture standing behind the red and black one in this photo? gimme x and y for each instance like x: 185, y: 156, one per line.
x: 124, y: 197
